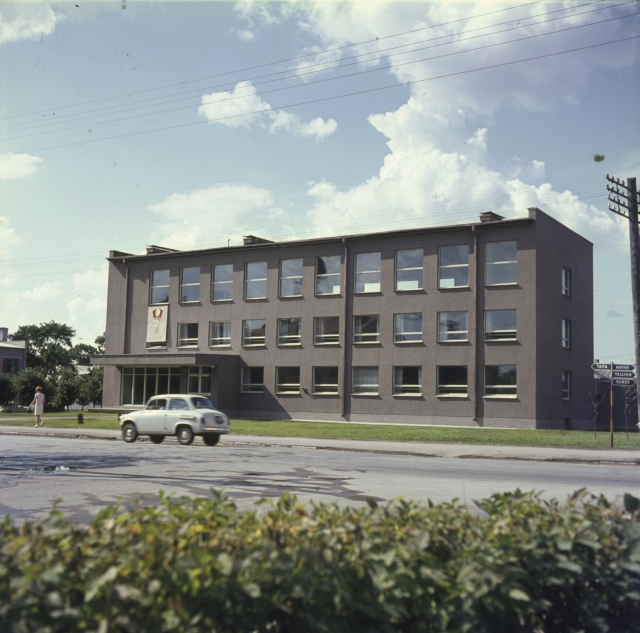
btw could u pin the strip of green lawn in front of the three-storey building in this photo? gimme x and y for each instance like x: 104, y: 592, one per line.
x: 383, y: 432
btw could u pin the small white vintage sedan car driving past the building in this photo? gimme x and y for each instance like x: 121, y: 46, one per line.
x: 182, y: 415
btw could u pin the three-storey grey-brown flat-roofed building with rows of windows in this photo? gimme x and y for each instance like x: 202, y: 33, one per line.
x: 484, y: 324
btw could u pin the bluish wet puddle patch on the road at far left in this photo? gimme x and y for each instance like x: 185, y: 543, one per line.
x: 39, y: 463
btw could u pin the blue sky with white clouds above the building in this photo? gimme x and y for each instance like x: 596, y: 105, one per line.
x: 207, y: 148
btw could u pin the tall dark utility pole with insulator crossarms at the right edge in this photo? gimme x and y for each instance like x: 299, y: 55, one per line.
x: 625, y: 203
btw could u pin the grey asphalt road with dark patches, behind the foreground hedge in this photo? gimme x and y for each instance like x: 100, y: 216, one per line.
x: 88, y: 474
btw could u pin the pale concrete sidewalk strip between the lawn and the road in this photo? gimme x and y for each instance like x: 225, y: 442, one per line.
x: 460, y: 451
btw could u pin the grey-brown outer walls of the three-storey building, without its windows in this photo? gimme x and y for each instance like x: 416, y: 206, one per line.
x: 544, y: 248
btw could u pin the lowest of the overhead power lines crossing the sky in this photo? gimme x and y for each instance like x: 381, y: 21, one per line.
x: 342, y: 96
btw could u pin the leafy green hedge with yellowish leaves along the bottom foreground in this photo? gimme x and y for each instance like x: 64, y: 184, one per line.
x: 524, y: 564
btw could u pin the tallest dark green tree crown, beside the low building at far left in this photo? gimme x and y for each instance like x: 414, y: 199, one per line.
x: 49, y: 345
